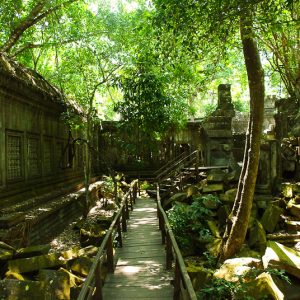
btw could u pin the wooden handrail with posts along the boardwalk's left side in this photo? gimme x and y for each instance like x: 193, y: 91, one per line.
x: 94, y: 276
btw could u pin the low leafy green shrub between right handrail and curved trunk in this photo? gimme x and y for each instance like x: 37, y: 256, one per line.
x: 189, y: 222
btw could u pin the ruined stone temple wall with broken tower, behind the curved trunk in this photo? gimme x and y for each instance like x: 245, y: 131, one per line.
x: 220, y: 138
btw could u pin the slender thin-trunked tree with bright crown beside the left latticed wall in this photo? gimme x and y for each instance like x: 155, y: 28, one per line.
x: 83, y: 72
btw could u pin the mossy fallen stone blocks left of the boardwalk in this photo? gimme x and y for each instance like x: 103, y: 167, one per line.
x: 56, y: 270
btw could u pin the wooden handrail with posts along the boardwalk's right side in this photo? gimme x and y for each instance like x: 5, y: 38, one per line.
x: 181, y: 279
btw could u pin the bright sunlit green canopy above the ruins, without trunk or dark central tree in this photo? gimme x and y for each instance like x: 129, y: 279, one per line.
x: 192, y: 51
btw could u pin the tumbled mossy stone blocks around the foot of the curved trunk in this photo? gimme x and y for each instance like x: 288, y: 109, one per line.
x: 272, y: 242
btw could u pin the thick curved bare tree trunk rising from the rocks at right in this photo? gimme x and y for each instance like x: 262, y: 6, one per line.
x: 237, y: 226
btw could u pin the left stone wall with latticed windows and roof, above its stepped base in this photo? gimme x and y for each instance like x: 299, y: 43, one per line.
x: 34, y: 148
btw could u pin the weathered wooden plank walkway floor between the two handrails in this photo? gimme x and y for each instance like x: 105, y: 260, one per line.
x: 140, y: 271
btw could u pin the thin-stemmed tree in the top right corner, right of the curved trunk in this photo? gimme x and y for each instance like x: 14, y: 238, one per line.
x: 280, y: 34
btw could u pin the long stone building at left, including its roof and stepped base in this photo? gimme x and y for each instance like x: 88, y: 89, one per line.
x: 38, y: 163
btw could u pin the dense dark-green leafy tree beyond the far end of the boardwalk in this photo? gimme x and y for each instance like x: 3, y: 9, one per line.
x: 146, y: 108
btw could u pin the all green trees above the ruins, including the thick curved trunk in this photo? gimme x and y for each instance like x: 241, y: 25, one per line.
x: 154, y: 64
